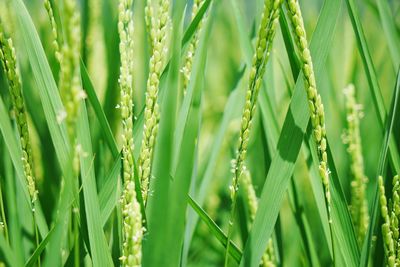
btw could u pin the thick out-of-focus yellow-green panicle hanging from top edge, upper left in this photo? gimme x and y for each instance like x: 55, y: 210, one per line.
x: 70, y: 85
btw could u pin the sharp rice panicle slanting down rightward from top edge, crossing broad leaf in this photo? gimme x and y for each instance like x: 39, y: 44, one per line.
x: 314, y: 99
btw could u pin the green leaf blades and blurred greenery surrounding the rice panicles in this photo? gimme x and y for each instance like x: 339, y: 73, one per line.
x: 78, y: 216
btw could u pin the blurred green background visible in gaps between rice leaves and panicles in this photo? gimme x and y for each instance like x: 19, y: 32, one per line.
x: 224, y: 73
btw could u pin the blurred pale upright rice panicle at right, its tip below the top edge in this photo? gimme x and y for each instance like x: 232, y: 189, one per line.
x: 359, y: 207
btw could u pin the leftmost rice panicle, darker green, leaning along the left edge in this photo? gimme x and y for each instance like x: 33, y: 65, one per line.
x: 9, y: 61
